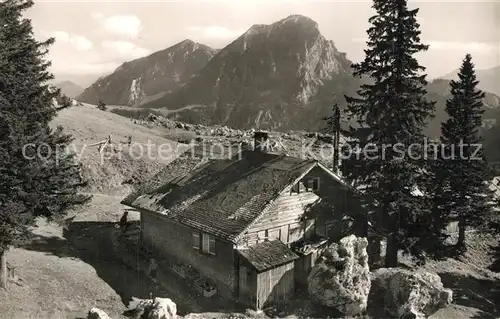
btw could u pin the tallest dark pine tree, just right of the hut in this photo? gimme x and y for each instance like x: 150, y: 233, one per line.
x: 392, y: 110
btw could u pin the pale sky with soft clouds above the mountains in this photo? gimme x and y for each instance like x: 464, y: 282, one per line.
x: 94, y: 37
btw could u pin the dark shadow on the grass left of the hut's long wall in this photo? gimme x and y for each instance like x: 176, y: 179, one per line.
x: 91, y: 242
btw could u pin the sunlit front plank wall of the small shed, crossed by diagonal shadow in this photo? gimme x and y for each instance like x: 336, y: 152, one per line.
x: 275, y: 286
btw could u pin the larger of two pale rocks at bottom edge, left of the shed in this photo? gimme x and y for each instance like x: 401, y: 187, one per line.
x: 159, y: 308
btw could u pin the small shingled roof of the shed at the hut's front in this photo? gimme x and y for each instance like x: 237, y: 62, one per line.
x: 268, y: 254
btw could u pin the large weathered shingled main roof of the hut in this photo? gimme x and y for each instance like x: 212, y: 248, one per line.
x: 223, y: 197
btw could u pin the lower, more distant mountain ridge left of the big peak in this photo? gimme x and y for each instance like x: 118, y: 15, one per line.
x: 148, y: 78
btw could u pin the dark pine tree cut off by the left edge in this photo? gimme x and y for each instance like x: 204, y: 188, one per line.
x: 37, y: 176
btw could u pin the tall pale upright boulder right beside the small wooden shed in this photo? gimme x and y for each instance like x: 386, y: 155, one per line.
x: 341, y: 279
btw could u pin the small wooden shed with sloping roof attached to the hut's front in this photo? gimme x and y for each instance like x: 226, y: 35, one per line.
x: 266, y: 274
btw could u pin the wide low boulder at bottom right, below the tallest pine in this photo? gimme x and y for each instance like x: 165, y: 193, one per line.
x: 408, y: 294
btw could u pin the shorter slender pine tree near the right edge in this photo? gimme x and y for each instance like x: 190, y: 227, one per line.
x: 461, y: 170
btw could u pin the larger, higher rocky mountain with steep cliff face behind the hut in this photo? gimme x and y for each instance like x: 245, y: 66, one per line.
x: 273, y: 76
